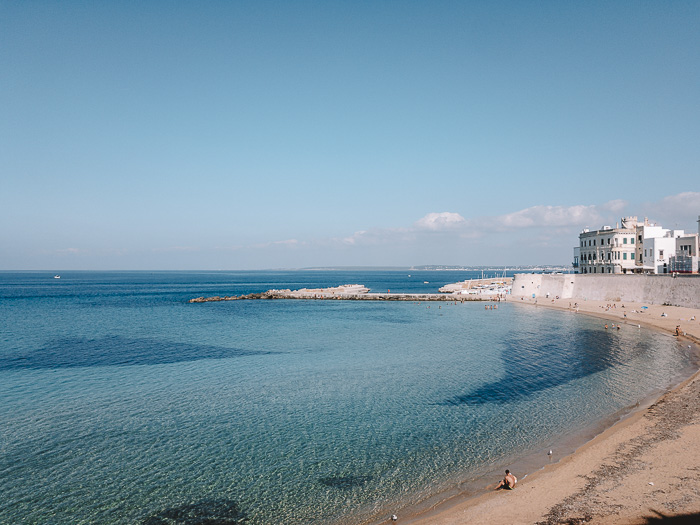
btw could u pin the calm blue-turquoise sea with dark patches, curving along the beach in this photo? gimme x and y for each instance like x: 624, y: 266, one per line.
x: 122, y: 403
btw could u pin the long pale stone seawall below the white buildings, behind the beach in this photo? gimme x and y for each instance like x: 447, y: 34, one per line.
x: 682, y: 290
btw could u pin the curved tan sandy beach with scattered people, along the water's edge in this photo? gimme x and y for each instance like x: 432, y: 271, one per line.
x: 644, y: 469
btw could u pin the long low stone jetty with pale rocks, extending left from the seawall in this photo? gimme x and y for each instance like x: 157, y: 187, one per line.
x: 352, y: 292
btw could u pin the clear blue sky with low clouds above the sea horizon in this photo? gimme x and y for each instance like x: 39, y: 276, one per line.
x: 245, y: 135
